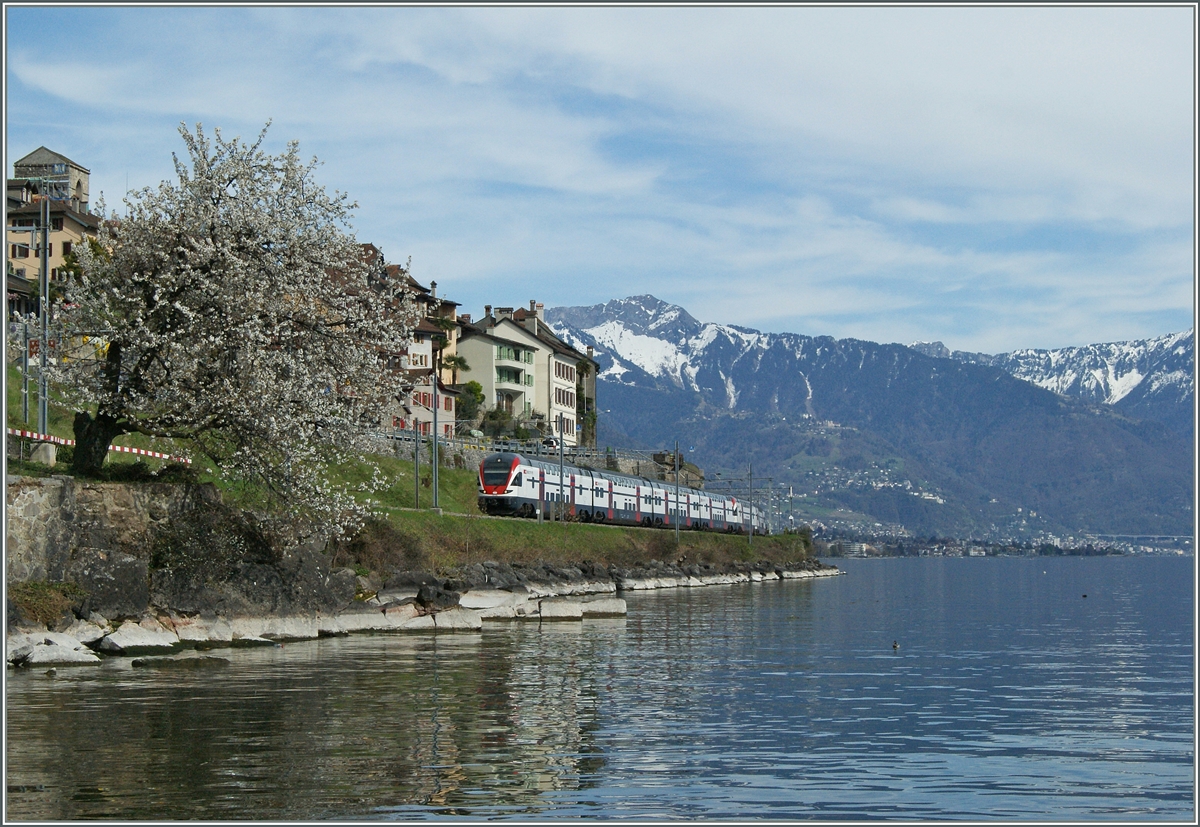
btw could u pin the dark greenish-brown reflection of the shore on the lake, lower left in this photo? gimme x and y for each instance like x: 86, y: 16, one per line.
x: 322, y: 729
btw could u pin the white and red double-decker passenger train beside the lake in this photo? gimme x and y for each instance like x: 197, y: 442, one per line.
x: 519, y: 487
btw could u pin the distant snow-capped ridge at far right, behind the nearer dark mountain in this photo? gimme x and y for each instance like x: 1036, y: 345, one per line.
x: 1150, y: 379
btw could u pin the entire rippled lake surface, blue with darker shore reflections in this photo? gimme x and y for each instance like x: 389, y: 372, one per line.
x: 1012, y: 697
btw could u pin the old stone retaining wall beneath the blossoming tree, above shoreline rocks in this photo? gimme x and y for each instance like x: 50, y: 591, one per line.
x: 103, y: 536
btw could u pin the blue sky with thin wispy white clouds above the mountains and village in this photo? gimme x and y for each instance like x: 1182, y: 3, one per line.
x: 993, y: 178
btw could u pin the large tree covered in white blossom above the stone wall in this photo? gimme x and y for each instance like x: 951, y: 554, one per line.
x: 235, y: 311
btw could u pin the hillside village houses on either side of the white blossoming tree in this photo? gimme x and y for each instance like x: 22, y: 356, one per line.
x: 505, y: 374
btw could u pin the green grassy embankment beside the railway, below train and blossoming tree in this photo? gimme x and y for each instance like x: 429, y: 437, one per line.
x: 406, y: 538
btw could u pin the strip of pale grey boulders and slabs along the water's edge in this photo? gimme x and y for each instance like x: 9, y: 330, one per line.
x: 407, y: 603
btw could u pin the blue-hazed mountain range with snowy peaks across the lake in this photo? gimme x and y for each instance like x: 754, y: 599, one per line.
x: 916, y: 439
